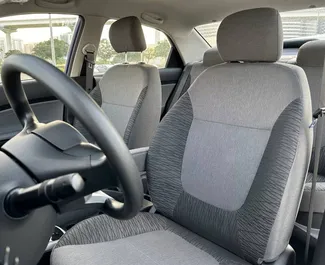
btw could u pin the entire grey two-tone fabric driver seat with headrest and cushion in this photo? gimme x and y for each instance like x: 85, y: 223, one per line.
x: 226, y: 167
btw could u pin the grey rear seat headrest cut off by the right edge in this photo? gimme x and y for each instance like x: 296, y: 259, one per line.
x: 312, y: 54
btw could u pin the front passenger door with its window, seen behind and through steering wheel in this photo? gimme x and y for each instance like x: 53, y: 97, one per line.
x: 67, y: 31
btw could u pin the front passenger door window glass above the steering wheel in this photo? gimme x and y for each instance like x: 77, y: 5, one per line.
x: 47, y: 36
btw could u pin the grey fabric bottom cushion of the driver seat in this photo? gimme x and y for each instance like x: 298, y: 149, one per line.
x: 145, y: 239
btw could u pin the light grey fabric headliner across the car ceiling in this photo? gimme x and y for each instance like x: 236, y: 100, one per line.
x: 184, y: 14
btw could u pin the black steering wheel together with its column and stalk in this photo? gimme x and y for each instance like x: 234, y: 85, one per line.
x: 45, y: 163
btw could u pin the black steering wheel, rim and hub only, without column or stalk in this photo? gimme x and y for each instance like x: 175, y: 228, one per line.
x: 48, y: 151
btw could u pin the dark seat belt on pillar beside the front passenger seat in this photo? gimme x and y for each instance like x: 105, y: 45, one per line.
x: 88, y: 64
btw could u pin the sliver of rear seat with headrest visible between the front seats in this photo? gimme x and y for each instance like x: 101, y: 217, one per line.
x: 190, y: 73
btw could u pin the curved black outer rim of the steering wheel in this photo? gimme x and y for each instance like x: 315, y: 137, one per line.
x: 87, y: 111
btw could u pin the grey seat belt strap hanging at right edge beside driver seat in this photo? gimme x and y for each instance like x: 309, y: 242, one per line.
x: 318, y: 117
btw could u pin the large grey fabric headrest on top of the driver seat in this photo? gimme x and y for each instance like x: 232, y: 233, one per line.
x: 253, y: 35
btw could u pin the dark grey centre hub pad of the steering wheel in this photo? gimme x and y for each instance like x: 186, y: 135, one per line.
x: 53, y: 150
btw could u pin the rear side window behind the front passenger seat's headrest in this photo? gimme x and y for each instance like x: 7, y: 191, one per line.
x: 157, y: 52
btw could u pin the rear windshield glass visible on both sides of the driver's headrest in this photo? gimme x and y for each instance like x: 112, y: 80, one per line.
x: 296, y: 24
